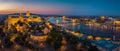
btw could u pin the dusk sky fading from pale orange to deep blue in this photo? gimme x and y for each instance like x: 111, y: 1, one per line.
x: 62, y: 7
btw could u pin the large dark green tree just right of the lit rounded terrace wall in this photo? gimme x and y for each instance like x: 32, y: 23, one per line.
x: 54, y: 39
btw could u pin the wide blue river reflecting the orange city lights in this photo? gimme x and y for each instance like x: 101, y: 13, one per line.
x: 101, y: 30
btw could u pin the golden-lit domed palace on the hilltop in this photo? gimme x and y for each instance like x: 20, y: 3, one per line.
x: 23, y: 17
